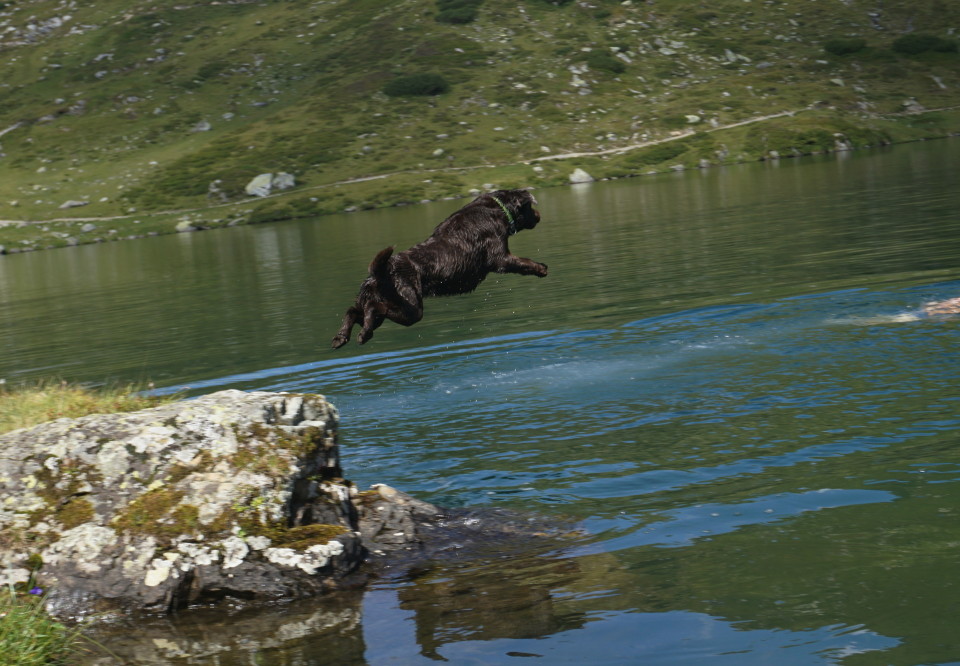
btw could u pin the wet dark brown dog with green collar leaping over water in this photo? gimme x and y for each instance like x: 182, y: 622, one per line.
x: 456, y: 258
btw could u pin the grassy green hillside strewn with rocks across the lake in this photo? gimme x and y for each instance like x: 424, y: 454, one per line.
x: 137, y: 109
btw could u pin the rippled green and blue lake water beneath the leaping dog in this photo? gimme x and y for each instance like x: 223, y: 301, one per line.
x: 722, y: 381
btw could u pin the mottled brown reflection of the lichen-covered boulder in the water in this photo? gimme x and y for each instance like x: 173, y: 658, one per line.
x: 438, y: 604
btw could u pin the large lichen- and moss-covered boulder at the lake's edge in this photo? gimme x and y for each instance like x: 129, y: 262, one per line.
x: 233, y: 495
